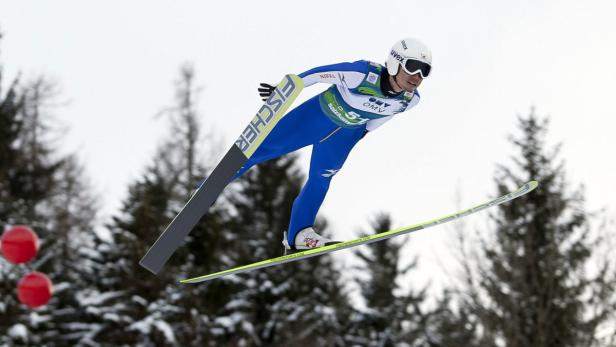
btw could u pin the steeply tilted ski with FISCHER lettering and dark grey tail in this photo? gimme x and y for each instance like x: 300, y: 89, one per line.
x: 253, y: 135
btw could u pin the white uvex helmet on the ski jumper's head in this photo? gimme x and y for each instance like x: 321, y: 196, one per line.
x: 413, y: 55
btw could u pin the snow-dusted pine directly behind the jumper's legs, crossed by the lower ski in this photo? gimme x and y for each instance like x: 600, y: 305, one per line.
x: 301, y: 303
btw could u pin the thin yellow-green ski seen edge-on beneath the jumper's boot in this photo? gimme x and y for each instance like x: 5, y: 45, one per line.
x: 366, y: 239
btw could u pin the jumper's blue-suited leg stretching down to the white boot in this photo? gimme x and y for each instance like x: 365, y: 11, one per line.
x: 327, y: 159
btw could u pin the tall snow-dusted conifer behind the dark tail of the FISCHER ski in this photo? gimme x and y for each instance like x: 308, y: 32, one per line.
x: 133, y: 306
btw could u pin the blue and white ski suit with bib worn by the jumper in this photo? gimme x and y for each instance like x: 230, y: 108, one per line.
x: 332, y: 122
